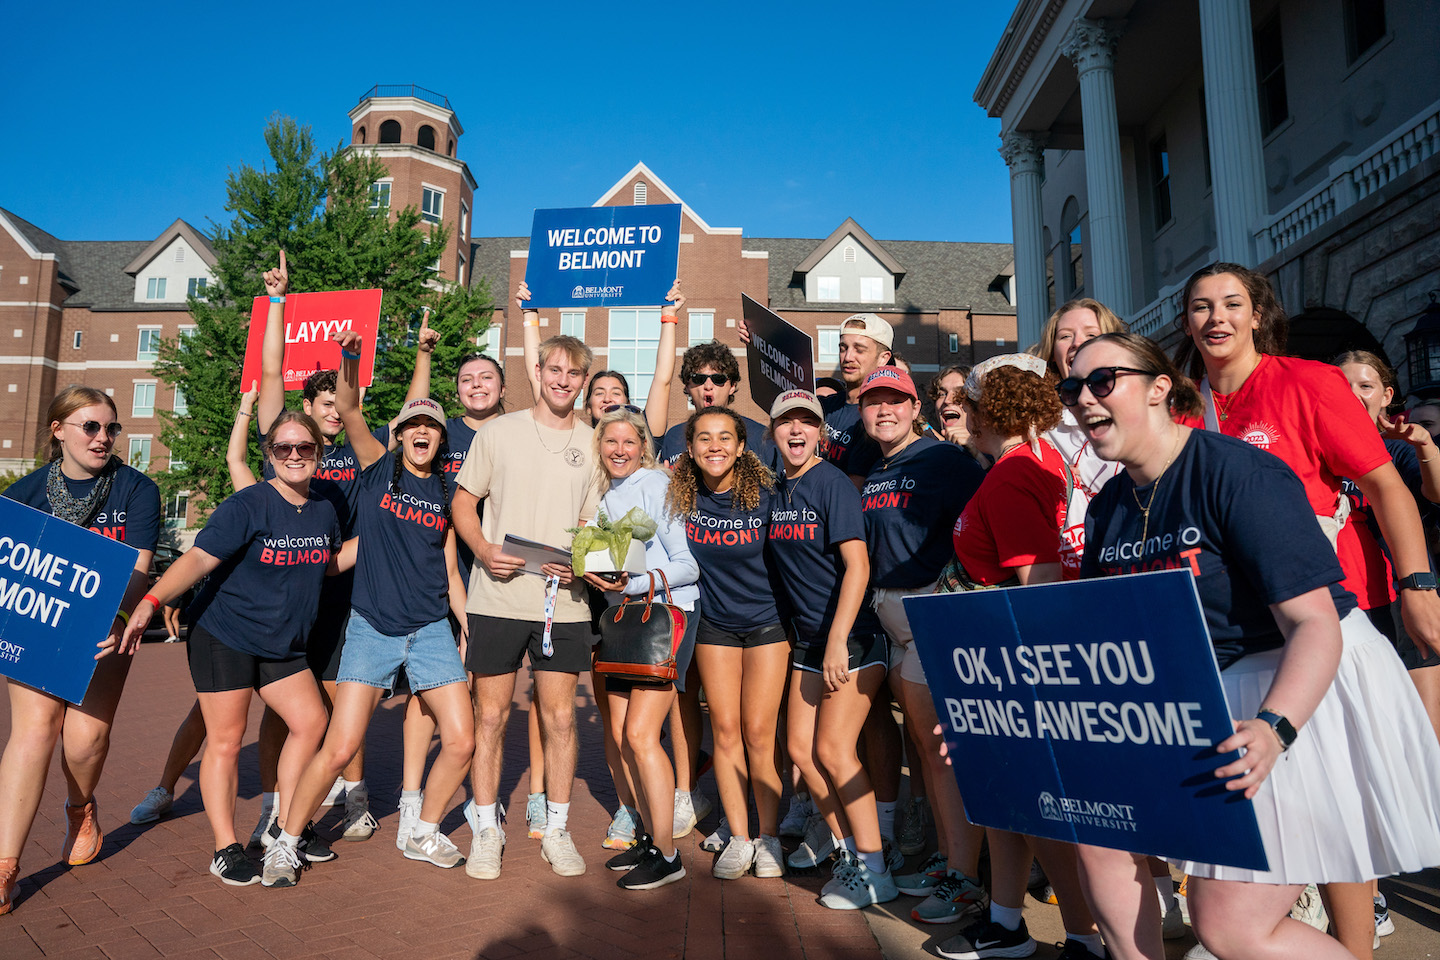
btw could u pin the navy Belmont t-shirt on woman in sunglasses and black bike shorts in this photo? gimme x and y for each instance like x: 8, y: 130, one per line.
x: 264, y: 597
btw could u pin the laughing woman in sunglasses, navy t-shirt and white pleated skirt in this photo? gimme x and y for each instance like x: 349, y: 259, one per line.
x: 1338, y: 755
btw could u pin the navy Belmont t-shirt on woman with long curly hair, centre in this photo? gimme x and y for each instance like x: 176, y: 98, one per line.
x: 738, y: 581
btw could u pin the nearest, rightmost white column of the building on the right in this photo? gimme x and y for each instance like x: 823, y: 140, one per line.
x: 1233, y: 116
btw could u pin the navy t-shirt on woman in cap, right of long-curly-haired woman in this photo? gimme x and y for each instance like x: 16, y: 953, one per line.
x: 810, y: 519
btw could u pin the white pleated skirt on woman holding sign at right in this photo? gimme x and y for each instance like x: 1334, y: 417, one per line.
x: 1359, y: 794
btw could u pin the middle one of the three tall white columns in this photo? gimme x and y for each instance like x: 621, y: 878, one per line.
x: 1091, y: 47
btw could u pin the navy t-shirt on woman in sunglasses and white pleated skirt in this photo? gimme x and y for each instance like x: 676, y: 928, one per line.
x: 1238, y: 519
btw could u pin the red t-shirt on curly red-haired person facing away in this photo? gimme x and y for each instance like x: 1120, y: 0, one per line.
x: 1016, y: 517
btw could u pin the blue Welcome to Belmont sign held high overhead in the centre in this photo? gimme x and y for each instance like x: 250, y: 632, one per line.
x: 604, y: 257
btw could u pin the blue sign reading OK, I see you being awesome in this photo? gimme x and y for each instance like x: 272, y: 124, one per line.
x: 1088, y: 713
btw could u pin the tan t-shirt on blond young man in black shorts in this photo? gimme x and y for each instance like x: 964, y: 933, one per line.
x: 536, y: 483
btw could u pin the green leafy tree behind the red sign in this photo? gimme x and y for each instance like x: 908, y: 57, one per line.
x: 318, y: 208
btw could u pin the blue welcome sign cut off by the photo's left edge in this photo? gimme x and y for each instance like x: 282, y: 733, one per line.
x: 60, y: 589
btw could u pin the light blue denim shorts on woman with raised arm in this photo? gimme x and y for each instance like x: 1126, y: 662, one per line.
x: 430, y: 657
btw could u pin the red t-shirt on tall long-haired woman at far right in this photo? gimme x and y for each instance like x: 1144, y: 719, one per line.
x: 1305, y: 414
